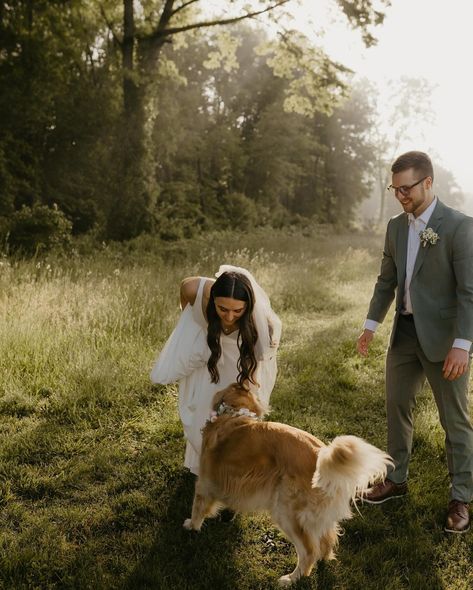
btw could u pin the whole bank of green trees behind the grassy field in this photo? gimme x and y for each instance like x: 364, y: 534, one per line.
x: 106, y: 131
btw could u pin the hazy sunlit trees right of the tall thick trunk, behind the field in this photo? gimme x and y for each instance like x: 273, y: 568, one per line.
x: 235, y: 136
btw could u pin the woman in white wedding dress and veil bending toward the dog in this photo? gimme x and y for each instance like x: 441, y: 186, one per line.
x: 227, y: 332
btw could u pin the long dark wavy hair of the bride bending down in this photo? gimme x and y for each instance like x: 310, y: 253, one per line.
x: 235, y: 286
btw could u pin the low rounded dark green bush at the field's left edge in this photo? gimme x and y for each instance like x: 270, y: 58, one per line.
x: 38, y: 229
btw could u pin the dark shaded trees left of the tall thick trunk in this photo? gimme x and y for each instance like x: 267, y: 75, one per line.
x: 57, y: 110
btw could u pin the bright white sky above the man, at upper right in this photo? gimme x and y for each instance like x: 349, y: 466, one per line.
x: 426, y: 38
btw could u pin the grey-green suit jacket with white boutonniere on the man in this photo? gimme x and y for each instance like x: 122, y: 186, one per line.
x: 442, y: 281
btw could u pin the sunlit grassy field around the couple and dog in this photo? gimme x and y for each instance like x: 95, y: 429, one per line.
x: 92, y: 489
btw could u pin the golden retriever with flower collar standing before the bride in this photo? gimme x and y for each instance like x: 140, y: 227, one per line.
x: 249, y: 465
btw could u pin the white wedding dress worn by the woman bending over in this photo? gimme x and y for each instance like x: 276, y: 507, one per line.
x: 184, y: 359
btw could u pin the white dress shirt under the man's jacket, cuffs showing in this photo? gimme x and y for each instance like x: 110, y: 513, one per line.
x: 416, y: 225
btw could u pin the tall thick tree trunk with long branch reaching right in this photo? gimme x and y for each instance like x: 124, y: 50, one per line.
x: 136, y: 184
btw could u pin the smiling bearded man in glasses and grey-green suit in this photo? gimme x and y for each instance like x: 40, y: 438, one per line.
x: 427, y: 267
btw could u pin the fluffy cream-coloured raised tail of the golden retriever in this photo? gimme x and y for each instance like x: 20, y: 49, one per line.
x: 348, y: 465
